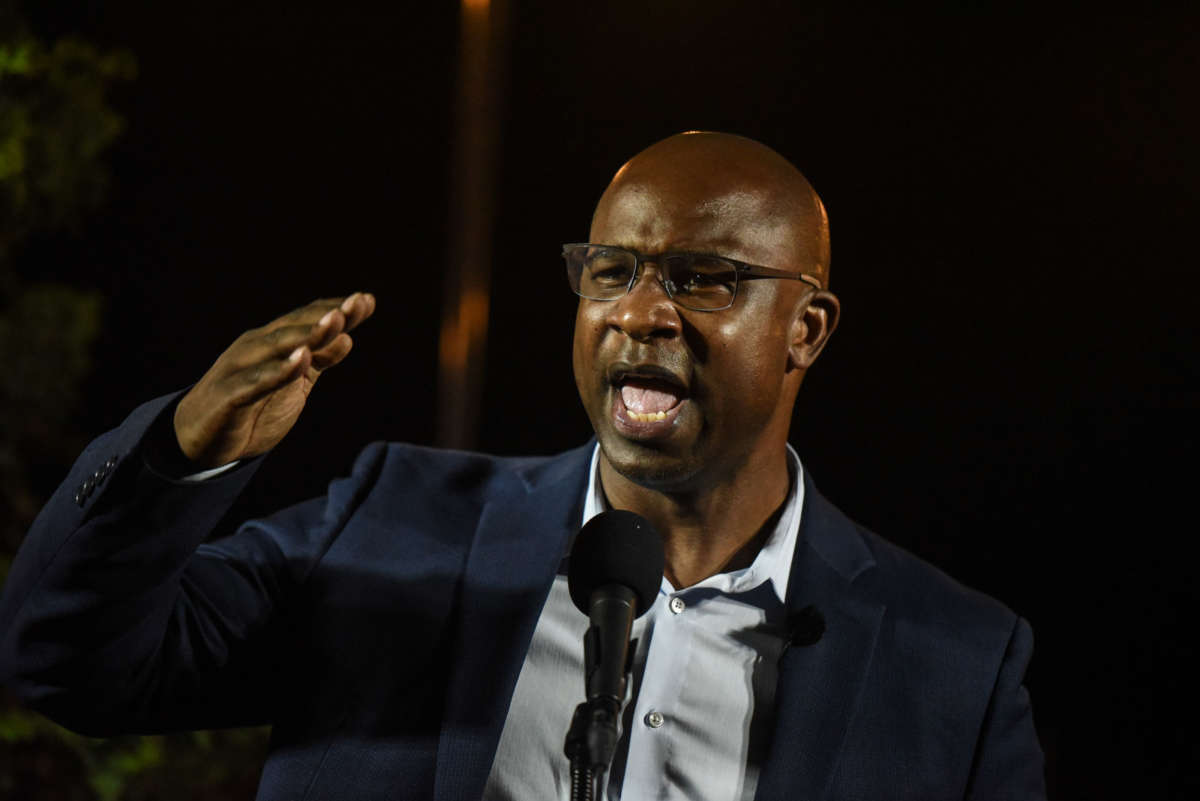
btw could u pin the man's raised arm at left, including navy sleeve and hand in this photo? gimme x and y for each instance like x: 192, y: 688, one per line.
x: 115, y: 618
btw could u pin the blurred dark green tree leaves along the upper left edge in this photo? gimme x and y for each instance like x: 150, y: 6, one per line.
x: 56, y: 124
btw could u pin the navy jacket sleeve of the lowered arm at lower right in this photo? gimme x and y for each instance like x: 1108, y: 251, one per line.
x: 1009, y: 763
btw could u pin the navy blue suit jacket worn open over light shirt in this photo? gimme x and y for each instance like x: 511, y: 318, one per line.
x: 381, y: 630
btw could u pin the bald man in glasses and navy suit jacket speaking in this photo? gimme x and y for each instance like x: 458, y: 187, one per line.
x: 409, y: 636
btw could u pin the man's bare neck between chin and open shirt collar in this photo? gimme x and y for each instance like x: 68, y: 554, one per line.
x: 709, y: 532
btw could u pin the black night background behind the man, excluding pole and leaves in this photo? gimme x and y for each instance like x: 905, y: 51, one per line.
x: 1012, y: 195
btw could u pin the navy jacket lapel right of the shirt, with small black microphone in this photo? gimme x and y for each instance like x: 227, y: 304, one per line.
x: 820, y: 684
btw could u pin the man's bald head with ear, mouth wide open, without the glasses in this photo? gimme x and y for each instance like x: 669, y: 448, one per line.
x: 724, y: 382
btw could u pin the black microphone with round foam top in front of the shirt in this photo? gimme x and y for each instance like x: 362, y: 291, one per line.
x: 615, y: 575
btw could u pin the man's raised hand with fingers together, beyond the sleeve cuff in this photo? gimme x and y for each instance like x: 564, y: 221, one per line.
x: 254, y: 394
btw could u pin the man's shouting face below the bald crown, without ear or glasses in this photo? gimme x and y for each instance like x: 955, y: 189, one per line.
x: 681, y: 400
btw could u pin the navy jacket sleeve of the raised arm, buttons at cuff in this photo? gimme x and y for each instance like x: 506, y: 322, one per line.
x: 116, y: 618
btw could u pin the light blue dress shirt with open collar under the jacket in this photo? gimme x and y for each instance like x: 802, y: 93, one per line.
x: 700, y: 716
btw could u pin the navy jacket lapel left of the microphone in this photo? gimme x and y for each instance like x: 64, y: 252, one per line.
x: 521, y: 539
